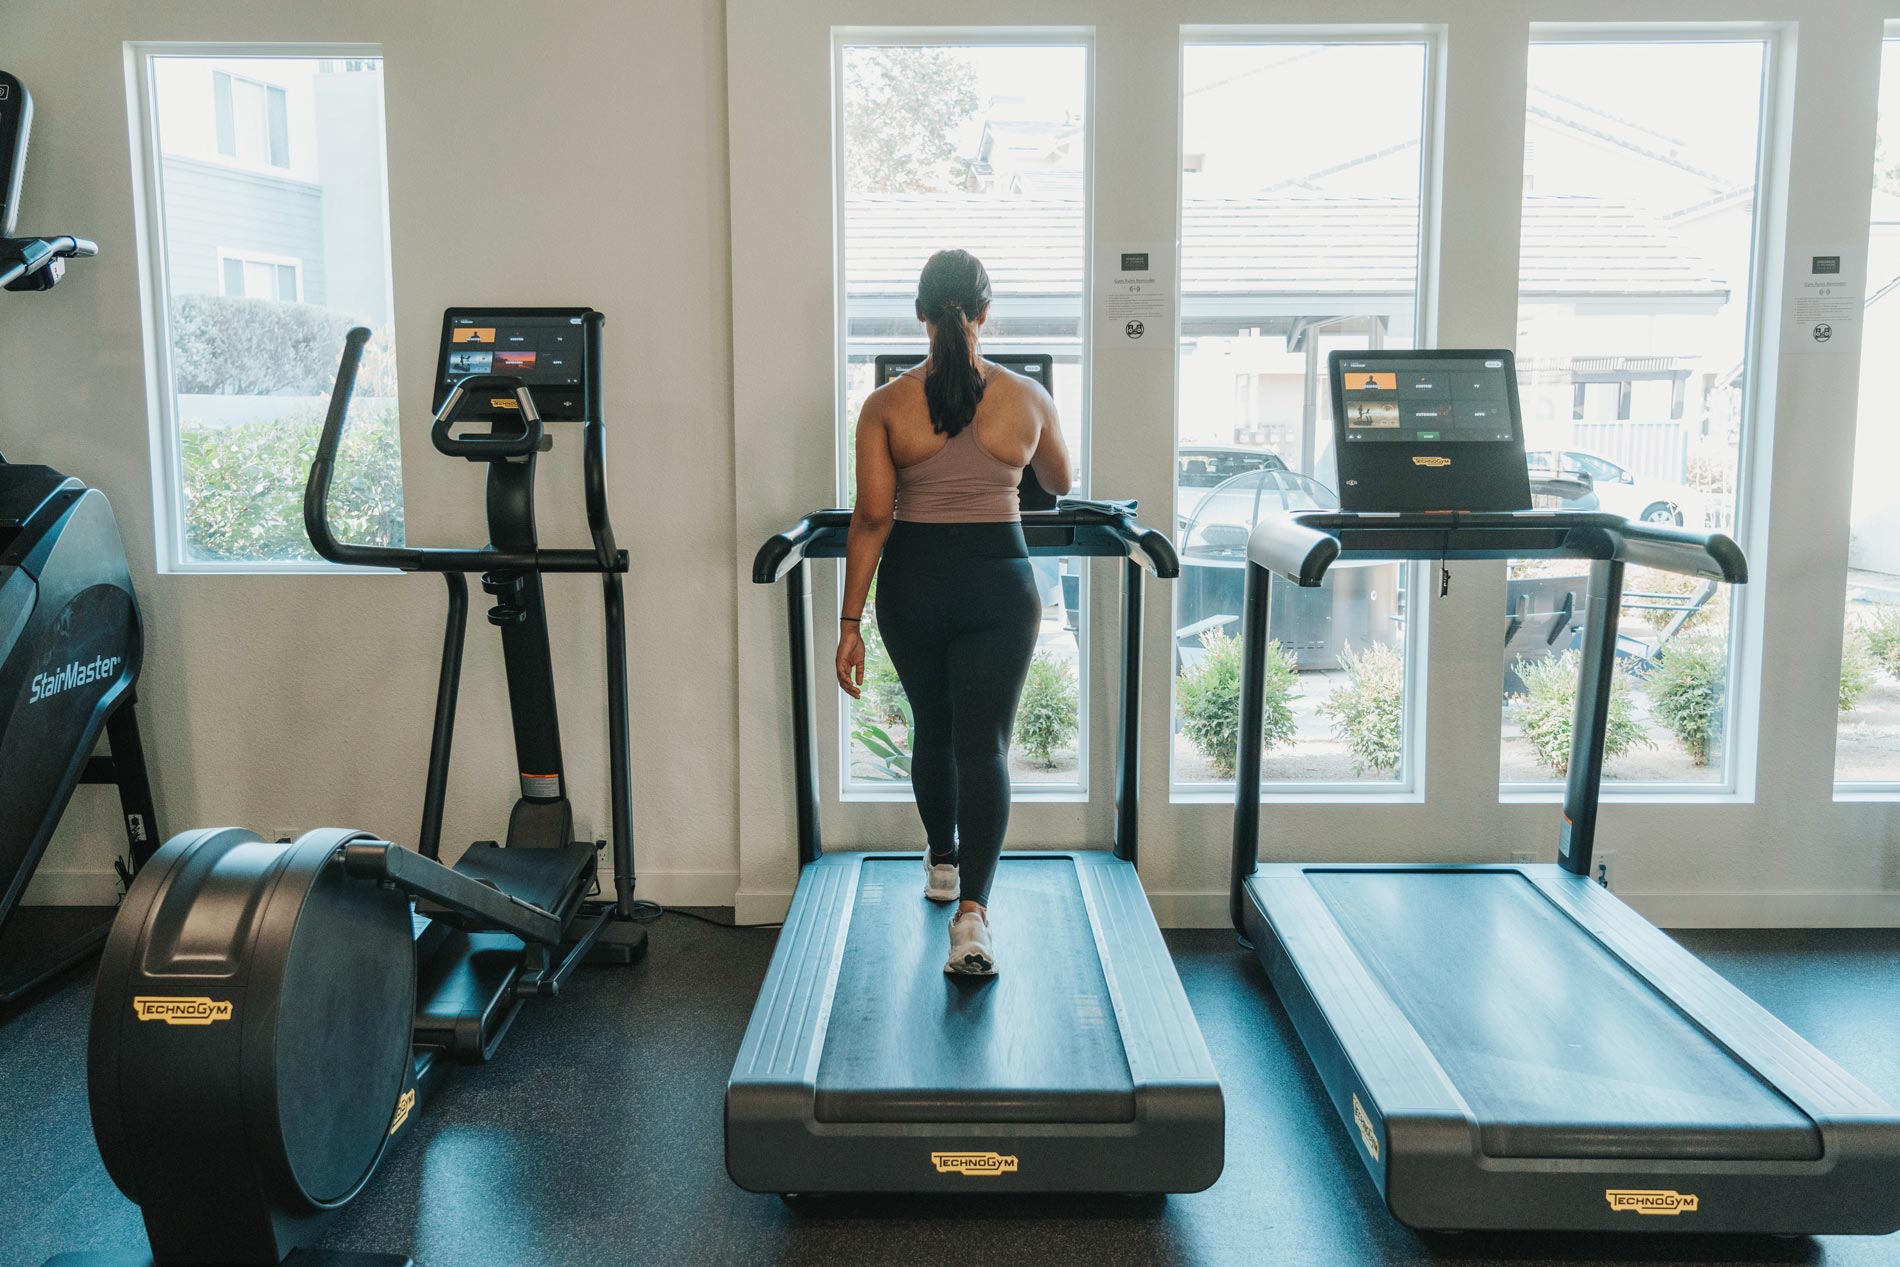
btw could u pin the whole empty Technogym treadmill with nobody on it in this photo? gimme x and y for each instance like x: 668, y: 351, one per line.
x: 1510, y: 1046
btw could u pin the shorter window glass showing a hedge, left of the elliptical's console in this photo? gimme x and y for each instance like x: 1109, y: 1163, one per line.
x: 259, y: 271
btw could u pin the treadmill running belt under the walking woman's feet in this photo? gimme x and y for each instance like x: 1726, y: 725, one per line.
x: 1035, y: 1044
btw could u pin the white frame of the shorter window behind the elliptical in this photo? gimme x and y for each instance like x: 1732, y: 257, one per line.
x: 155, y: 293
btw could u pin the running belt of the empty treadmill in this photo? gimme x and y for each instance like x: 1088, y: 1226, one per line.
x: 1553, y: 1042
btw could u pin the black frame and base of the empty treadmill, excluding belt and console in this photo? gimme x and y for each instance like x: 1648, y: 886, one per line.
x: 1409, y: 1124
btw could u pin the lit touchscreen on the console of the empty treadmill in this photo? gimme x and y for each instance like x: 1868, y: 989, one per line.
x: 1434, y: 400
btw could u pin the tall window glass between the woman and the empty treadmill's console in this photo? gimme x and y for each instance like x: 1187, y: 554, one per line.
x: 1295, y: 242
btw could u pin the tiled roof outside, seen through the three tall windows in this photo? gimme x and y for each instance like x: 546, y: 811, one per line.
x: 1289, y: 244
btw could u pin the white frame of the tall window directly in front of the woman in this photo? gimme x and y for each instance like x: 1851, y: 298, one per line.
x: 970, y: 37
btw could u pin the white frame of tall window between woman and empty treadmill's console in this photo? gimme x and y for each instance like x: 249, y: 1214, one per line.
x: 1409, y: 787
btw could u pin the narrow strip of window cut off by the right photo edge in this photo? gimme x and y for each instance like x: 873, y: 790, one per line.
x: 1867, y: 751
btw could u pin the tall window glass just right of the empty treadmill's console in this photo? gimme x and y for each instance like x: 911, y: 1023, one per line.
x: 1635, y: 288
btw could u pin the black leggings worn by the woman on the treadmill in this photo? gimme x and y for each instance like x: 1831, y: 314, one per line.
x: 959, y: 613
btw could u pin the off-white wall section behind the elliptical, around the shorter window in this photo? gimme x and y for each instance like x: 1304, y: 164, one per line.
x: 598, y: 178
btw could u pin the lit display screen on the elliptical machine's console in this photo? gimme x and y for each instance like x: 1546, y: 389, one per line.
x: 541, y: 347
